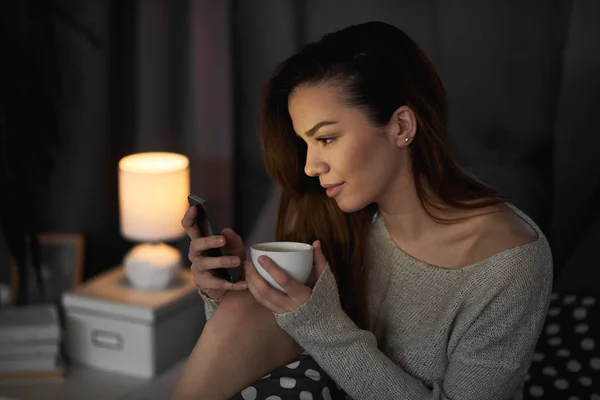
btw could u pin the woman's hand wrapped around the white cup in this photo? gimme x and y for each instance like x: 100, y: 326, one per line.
x: 273, y: 299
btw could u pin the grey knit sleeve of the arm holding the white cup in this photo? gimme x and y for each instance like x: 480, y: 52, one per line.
x: 483, y: 366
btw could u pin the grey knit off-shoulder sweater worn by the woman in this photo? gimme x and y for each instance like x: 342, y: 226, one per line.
x: 465, y: 334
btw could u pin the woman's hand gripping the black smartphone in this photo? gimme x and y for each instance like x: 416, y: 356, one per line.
x: 213, y: 287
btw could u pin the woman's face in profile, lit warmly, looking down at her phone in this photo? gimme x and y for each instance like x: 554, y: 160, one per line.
x: 355, y: 161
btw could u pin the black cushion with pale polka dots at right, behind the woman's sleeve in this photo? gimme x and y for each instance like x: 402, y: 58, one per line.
x: 566, y: 363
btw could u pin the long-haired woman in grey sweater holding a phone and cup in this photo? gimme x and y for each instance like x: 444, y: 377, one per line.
x: 428, y: 284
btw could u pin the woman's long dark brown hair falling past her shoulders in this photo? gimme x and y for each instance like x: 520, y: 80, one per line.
x: 378, y: 69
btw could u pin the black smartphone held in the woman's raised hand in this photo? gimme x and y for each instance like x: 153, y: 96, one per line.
x: 208, y: 227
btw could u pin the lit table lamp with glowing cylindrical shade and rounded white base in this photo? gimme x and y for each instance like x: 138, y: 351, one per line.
x: 153, y: 190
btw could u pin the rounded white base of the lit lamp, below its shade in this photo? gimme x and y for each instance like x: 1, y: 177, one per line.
x: 152, y: 266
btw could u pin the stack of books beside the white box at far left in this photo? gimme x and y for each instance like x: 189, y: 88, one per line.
x: 30, y: 343
